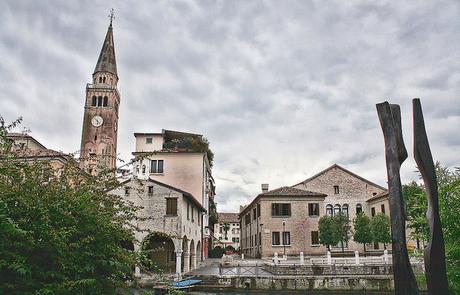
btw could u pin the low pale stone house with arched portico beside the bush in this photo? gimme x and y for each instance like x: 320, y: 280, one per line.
x: 169, y: 223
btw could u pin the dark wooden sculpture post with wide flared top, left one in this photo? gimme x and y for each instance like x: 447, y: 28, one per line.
x: 396, y: 154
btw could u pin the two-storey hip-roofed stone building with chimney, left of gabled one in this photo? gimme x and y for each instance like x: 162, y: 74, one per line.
x: 284, y: 220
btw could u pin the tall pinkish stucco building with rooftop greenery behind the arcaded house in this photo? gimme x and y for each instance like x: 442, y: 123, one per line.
x: 180, y: 160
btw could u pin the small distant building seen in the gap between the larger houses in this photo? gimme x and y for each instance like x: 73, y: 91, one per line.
x: 232, y: 237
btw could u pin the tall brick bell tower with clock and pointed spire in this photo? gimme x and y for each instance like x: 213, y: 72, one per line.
x: 100, y: 120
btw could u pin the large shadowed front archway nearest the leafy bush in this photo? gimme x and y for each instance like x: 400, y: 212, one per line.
x: 159, y: 247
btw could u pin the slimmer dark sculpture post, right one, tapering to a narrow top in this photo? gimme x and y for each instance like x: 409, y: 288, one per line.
x: 435, y: 264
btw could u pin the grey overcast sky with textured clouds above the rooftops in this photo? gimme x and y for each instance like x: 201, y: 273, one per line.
x: 282, y: 89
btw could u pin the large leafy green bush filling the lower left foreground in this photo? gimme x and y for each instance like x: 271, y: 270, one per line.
x: 61, y: 233
